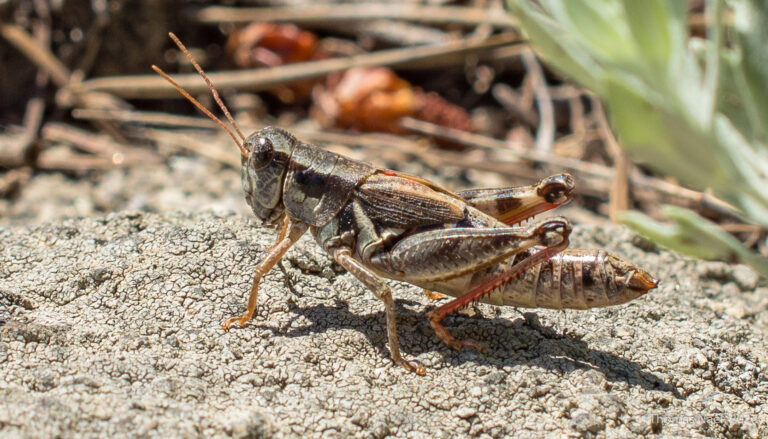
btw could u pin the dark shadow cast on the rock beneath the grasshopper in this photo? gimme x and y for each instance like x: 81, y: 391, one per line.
x: 531, y: 343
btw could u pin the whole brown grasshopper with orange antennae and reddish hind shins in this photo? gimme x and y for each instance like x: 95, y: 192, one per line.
x: 378, y: 224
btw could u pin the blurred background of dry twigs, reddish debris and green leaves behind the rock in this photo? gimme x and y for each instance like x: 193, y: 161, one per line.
x: 658, y: 109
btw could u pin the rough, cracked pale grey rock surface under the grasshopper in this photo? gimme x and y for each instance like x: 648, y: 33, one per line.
x: 109, y: 327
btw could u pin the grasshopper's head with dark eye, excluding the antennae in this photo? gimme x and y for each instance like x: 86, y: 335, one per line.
x: 263, y: 171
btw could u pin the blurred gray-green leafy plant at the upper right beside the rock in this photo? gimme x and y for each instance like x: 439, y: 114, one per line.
x: 695, y: 109
